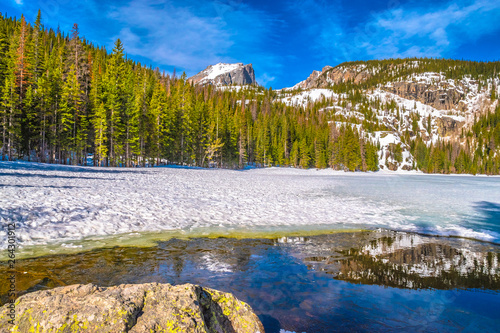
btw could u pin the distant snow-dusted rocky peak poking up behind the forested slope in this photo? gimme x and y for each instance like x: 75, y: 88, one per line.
x: 225, y: 74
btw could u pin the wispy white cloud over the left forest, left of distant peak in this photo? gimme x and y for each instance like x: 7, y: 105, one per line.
x: 171, y: 35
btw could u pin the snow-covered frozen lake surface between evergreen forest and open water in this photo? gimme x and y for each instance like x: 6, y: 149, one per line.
x: 63, y: 204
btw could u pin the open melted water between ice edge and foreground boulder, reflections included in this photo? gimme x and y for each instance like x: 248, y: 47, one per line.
x: 364, y: 281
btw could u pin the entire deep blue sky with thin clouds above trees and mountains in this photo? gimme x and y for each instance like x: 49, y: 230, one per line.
x: 284, y: 40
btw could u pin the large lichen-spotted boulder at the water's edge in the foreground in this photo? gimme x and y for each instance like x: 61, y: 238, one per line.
x: 150, y: 307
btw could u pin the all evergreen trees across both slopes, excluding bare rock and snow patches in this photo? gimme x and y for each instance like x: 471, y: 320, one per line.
x: 65, y: 100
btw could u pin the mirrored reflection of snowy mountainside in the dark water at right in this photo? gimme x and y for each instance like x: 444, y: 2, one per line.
x: 412, y: 261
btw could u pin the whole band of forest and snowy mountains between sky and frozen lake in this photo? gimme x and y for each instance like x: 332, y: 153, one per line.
x: 97, y: 107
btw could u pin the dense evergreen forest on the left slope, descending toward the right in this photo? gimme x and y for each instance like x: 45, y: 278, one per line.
x: 65, y: 100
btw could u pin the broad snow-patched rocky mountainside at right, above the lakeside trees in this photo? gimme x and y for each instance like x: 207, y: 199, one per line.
x: 397, y: 103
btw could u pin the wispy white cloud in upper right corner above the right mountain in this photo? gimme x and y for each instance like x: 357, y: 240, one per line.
x: 431, y: 31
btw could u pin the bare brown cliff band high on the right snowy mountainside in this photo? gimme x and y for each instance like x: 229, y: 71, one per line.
x: 439, y: 97
